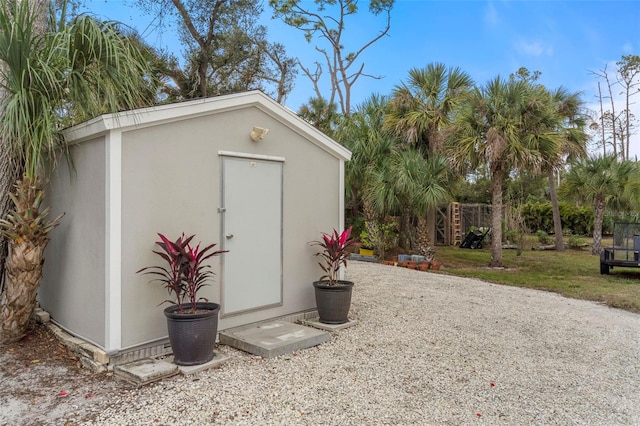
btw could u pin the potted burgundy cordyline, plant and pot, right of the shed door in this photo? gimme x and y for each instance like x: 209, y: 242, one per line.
x: 333, y: 296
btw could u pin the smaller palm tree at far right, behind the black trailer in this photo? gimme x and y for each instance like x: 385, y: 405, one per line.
x: 604, y: 182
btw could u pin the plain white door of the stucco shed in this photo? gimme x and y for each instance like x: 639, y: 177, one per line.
x: 252, y: 232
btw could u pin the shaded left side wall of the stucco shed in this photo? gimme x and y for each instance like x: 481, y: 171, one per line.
x: 72, y: 288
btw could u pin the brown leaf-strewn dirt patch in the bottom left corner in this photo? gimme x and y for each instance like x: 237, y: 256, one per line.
x: 42, y: 382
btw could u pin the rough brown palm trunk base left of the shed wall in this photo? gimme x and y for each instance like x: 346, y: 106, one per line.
x: 24, y: 271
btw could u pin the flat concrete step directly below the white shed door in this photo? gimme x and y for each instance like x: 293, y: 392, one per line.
x: 273, y: 338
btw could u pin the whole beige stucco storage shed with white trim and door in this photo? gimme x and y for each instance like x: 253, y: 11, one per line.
x: 240, y: 170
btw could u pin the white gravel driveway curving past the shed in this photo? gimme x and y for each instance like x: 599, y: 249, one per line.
x: 427, y: 349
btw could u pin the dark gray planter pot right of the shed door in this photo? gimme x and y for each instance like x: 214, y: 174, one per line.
x: 333, y: 301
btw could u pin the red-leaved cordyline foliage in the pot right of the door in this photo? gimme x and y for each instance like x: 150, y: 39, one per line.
x: 334, y: 252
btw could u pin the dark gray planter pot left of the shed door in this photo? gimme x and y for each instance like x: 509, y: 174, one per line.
x: 193, y: 336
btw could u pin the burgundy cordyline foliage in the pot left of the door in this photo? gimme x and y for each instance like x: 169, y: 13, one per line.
x: 185, y: 273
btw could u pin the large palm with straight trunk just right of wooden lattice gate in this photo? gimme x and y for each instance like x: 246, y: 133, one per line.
x: 491, y: 128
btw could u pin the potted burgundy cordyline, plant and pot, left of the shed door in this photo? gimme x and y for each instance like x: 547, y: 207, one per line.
x: 192, y: 321
